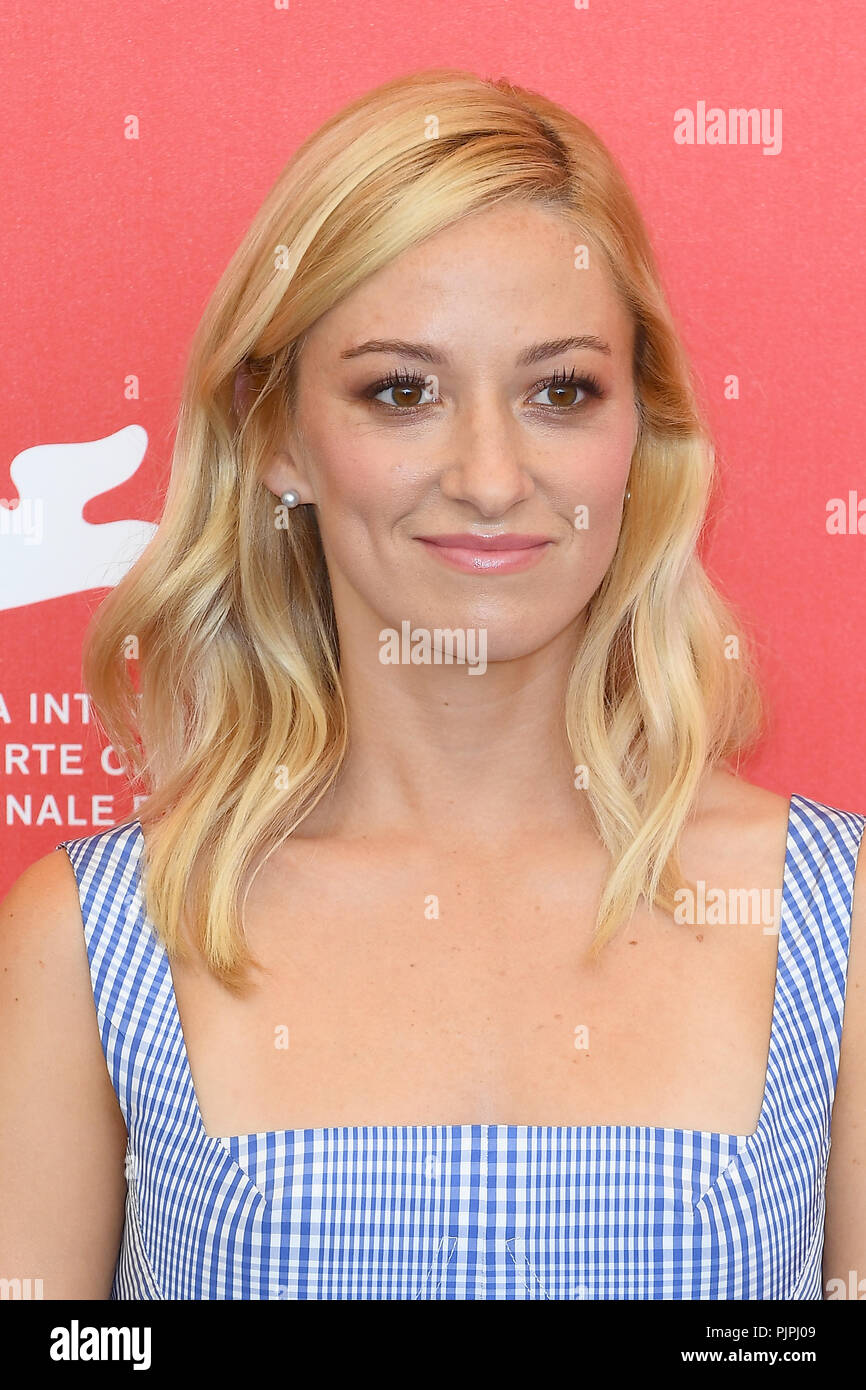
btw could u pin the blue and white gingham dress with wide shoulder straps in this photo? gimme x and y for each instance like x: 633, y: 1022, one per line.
x: 475, y: 1211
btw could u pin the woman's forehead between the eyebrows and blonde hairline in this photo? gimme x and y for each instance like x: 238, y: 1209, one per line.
x: 497, y: 279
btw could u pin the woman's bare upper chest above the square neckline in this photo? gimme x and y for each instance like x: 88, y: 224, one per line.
x: 407, y: 990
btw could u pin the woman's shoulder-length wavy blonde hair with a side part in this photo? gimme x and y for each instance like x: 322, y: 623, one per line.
x: 231, y: 721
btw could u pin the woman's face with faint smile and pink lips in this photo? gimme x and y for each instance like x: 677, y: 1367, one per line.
x: 447, y: 398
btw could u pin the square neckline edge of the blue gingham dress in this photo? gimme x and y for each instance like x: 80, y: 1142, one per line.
x: 305, y: 1134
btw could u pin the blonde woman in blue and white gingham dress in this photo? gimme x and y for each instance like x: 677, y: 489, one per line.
x: 423, y: 971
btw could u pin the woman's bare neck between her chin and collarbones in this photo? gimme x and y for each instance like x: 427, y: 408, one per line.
x: 450, y: 757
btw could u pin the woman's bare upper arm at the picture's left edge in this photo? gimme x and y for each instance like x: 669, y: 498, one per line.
x: 63, y: 1136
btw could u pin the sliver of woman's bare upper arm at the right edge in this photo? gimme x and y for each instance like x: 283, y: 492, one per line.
x: 846, y: 1220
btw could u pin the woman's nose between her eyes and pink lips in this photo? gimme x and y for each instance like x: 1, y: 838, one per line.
x: 487, y: 464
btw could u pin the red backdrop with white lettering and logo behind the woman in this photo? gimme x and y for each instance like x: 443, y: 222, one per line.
x: 113, y: 245
